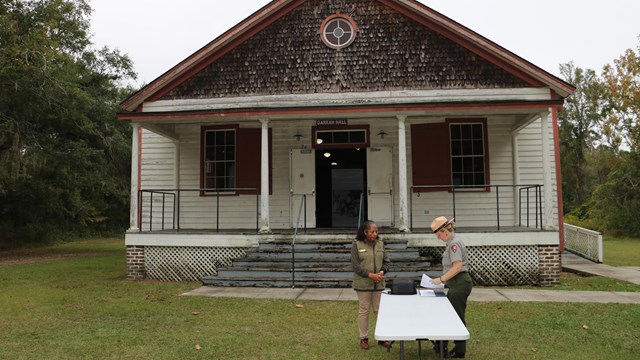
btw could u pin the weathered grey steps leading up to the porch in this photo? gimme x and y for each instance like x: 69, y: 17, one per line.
x: 312, y: 265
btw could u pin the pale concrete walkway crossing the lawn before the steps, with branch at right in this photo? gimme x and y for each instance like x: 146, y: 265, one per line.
x: 570, y: 262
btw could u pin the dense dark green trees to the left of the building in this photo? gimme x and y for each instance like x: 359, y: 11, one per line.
x: 64, y: 158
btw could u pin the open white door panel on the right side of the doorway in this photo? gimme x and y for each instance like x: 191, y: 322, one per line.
x: 380, y: 185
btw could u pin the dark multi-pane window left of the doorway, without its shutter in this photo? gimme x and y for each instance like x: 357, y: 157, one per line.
x: 220, y: 159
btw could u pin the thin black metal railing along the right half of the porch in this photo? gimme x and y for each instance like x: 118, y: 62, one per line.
x: 525, y: 192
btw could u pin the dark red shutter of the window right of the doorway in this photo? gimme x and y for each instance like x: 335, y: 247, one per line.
x: 430, y: 156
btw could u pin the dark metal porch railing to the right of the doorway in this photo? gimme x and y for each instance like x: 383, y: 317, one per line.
x: 469, y: 188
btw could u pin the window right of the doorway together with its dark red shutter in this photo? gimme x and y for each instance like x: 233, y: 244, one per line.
x: 454, y: 152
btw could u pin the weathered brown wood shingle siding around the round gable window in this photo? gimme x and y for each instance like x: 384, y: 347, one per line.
x: 390, y: 52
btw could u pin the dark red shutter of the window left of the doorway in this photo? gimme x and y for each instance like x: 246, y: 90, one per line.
x: 248, y: 156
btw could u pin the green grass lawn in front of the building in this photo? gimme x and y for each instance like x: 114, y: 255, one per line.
x: 56, y: 305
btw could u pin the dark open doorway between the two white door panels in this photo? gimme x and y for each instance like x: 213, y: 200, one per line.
x: 340, y: 187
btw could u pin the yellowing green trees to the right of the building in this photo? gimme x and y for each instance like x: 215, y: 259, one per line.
x: 600, y: 139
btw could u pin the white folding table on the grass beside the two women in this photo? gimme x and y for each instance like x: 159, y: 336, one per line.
x: 415, y: 317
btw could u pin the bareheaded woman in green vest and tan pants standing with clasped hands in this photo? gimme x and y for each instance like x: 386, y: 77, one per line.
x: 370, y: 263
